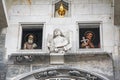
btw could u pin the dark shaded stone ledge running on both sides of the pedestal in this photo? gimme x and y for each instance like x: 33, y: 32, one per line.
x: 31, y: 58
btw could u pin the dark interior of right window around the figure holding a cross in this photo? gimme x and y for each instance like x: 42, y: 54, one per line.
x: 92, y: 28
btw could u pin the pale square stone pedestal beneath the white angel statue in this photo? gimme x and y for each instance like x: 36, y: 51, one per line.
x: 56, y: 58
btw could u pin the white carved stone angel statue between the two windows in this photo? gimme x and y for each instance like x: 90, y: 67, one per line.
x: 58, y: 43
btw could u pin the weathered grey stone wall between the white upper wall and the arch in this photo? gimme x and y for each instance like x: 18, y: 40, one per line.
x: 99, y: 64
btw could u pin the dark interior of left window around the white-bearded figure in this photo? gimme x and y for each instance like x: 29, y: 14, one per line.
x: 37, y: 32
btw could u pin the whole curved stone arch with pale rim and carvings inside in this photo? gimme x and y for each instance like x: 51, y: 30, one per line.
x: 60, y: 73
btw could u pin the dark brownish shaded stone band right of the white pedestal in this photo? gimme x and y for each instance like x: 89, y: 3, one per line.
x: 84, y: 57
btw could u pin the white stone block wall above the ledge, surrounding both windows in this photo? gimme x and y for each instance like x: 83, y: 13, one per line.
x: 42, y: 11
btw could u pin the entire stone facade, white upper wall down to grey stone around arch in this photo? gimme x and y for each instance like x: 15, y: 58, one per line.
x: 99, y: 62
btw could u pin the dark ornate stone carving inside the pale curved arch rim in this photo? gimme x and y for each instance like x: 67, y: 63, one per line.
x: 75, y: 74
